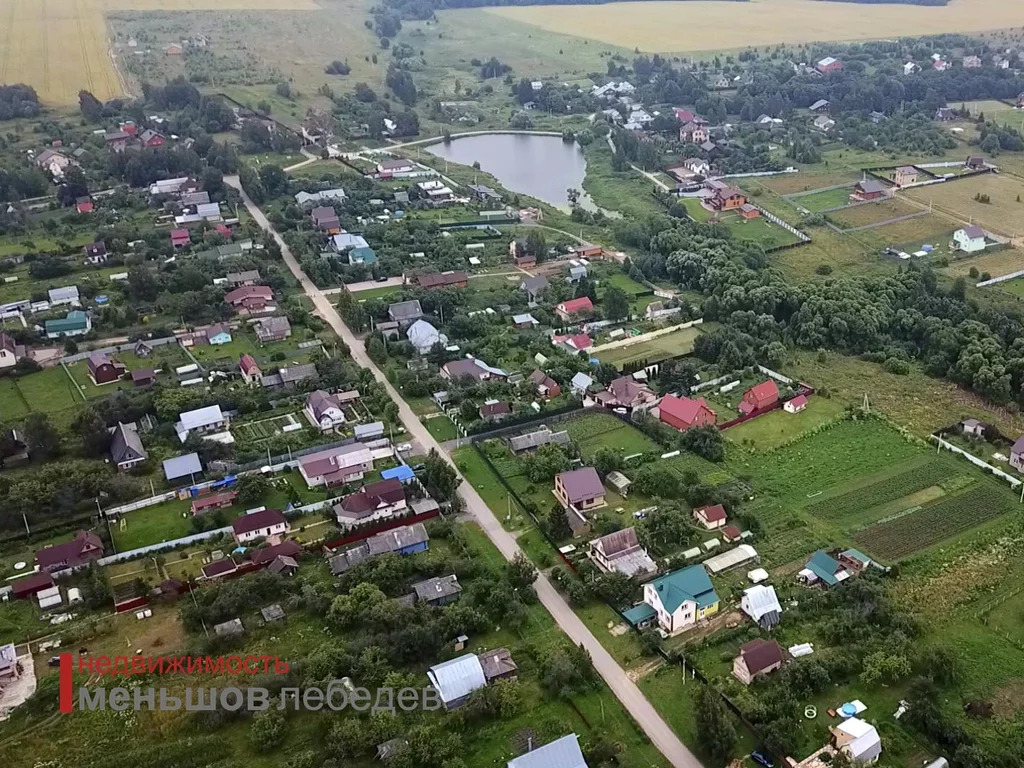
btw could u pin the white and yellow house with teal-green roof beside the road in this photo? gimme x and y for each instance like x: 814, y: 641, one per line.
x: 677, y: 602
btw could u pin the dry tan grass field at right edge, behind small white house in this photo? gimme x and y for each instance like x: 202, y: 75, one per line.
x: 1004, y: 215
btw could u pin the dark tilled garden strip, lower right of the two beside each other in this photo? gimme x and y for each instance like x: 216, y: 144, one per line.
x: 931, y: 525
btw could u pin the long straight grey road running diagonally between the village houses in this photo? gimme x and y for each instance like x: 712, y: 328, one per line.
x: 625, y: 690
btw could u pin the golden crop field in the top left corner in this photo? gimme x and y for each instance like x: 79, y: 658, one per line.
x: 62, y: 47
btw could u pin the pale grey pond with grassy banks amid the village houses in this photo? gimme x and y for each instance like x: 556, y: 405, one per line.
x: 543, y: 167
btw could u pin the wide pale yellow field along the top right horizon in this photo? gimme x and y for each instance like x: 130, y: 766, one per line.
x: 711, y: 25
